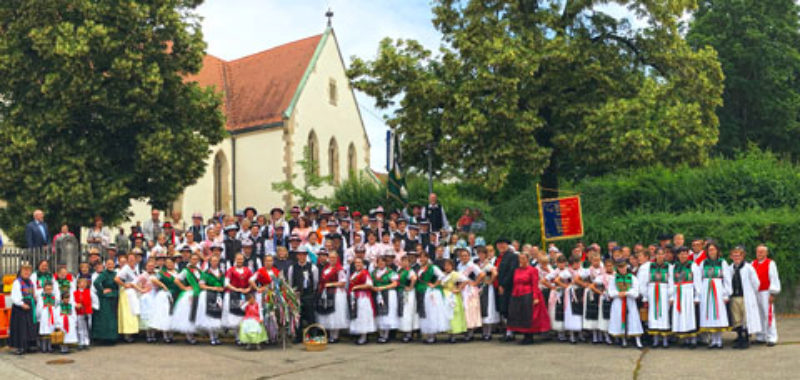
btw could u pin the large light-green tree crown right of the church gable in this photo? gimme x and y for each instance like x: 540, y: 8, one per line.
x: 548, y: 88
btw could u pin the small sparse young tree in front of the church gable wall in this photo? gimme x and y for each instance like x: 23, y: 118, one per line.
x: 312, y: 182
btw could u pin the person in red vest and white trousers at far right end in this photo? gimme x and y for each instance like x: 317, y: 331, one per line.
x: 769, y: 288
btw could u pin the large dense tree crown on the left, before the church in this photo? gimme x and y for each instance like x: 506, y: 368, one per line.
x: 95, y: 109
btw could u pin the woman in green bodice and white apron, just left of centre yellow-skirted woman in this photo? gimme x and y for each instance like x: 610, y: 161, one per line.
x: 430, y: 302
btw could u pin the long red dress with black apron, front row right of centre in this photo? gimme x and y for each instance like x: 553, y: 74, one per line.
x: 524, y: 315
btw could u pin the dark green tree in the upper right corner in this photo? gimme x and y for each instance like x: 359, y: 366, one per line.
x: 757, y: 43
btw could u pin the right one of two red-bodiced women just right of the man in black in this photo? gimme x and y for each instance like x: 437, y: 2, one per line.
x: 362, y: 320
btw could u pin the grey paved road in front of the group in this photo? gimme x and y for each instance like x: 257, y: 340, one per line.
x: 475, y: 360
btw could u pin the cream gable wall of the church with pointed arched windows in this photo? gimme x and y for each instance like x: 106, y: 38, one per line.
x: 314, y: 111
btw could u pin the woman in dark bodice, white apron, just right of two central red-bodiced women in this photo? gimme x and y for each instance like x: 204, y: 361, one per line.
x: 384, y: 282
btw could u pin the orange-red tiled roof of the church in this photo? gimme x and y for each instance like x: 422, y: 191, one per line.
x: 259, y: 88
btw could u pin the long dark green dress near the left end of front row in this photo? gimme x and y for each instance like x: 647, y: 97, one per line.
x: 104, y: 320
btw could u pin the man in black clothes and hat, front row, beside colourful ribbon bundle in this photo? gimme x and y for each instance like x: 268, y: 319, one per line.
x: 303, y: 277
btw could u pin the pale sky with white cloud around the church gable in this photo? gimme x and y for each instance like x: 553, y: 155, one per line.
x: 235, y: 28
